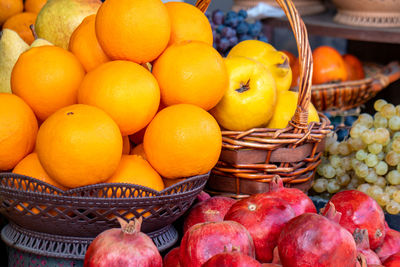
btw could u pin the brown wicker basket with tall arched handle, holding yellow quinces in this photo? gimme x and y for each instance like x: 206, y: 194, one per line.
x: 250, y: 159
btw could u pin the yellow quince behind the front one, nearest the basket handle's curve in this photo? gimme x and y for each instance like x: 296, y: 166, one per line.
x: 276, y: 61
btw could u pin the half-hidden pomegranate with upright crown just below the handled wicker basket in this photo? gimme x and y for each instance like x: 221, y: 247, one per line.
x: 299, y: 201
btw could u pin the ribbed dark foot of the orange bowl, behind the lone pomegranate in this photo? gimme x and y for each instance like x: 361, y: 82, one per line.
x: 64, y: 247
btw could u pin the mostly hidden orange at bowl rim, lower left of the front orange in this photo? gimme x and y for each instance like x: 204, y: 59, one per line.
x: 30, y: 166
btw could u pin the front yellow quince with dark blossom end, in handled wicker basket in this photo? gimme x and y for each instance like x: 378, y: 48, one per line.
x: 250, y: 99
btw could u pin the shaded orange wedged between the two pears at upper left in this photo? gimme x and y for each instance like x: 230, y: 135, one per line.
x: 20, y: 23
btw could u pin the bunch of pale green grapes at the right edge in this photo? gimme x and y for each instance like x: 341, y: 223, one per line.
x: 369, y: 160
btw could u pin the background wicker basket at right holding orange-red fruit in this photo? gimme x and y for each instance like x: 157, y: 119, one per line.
x: 351, y: 94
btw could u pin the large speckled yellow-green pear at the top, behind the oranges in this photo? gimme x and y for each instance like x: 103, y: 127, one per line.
x: 58, y: 19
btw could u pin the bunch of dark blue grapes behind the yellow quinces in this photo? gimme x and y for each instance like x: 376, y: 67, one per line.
x: 231, y: 28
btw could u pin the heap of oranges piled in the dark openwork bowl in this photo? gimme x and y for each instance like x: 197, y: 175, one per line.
x: 139, y: 85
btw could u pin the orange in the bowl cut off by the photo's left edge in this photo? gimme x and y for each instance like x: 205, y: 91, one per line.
x: 18, y: 130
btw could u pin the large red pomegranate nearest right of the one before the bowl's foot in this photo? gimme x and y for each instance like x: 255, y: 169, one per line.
x: 204, y: 240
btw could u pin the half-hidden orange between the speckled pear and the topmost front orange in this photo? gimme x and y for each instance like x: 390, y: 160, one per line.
x: 84, y: 45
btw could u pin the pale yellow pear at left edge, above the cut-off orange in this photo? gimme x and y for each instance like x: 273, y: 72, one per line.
x: 11, y: 46
